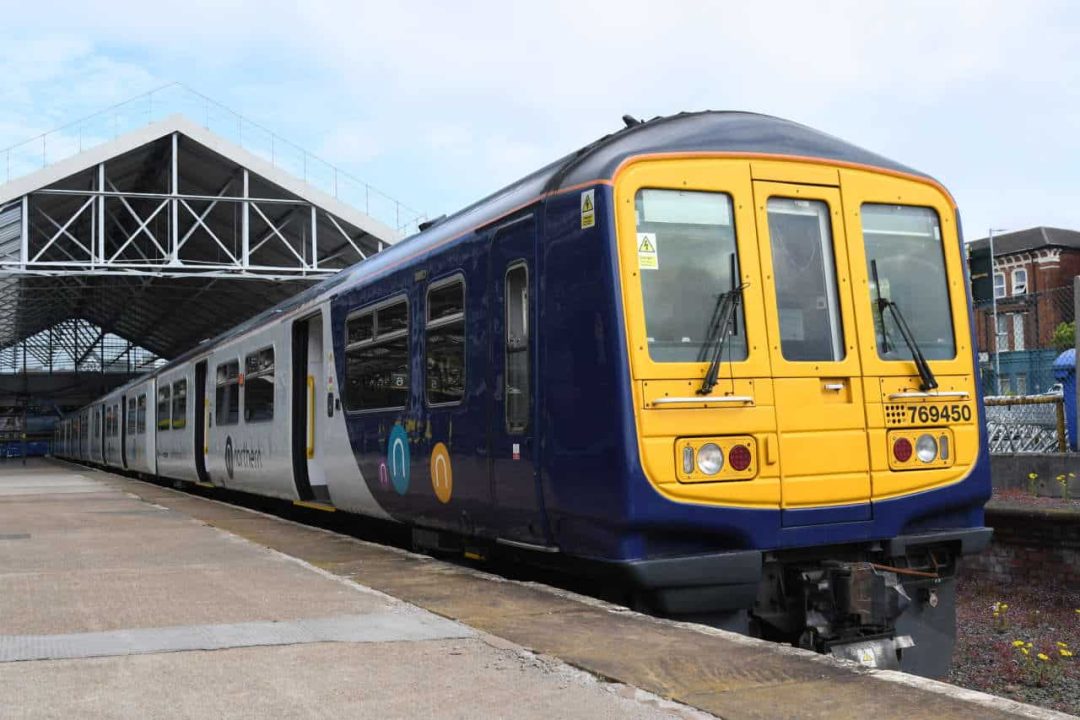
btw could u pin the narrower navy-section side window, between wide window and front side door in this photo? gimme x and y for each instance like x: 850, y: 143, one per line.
x: 445, y: 344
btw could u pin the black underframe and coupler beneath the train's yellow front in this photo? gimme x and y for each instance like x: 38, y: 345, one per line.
x: 889, y: 605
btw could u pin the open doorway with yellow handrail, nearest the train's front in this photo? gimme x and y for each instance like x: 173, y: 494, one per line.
x: 307, y: 341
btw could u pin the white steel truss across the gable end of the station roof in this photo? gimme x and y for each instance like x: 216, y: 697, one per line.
x: 156, y: 218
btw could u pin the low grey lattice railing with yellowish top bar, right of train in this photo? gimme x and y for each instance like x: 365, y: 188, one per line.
x: 1027, y: 425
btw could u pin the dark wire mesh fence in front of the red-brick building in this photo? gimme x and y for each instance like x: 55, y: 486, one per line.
x: 1019, y: 344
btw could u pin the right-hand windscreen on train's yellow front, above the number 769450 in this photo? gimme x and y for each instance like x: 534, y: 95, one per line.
x: 904, y: 247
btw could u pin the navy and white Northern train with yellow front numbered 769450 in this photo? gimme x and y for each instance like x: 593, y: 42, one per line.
x: 720, y: 359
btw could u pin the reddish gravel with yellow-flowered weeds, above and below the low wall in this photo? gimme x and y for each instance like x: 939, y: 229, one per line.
x: 988, y: 657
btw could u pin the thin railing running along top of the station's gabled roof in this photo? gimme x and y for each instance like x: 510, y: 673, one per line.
x: 71, y: 140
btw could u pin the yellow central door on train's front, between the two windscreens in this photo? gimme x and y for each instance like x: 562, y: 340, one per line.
x: 825, y: 461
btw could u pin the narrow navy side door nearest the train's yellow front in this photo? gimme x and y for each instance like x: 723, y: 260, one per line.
x: 512, y: 450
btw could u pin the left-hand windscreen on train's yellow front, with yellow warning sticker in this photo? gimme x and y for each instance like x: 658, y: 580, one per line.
x: 686, y: 257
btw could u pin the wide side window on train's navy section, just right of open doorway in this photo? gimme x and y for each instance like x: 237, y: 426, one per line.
x: 377, y: 363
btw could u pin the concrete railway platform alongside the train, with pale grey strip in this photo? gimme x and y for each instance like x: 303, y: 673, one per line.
x: 125, y: 600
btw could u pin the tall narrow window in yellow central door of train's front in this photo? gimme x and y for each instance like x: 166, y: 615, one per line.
x: 804, y: 268
